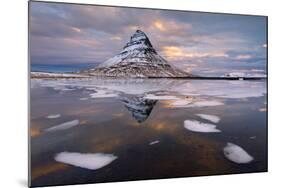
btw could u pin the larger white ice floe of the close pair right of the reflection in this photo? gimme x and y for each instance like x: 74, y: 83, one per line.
x: 197, y: 126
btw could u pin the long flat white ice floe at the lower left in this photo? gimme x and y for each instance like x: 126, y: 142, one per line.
x: 92, y: 161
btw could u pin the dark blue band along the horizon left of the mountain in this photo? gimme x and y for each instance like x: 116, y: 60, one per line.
x: 61, y: 68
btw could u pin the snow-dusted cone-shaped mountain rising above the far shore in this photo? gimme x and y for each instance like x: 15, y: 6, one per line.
x: 137, y: 59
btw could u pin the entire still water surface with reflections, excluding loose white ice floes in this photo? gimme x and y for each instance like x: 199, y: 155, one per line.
x: 122, y: 117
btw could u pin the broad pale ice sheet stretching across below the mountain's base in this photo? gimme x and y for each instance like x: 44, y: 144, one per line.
x: 176, y: 90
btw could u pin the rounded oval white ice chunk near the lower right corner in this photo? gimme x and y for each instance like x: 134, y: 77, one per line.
x: 236, y: 154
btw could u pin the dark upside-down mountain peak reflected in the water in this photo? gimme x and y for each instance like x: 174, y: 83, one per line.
x: 139, y: 107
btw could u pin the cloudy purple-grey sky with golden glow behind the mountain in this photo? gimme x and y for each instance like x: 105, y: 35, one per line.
x: 200, y: 43
